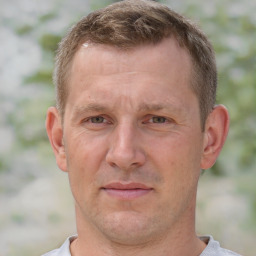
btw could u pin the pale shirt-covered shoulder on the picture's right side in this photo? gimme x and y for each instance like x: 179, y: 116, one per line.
x: 213, y: 248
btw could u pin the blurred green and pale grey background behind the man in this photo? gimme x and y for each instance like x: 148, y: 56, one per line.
x: 36, y: 208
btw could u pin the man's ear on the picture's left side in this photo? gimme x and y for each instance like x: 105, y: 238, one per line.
x: 55, y: 134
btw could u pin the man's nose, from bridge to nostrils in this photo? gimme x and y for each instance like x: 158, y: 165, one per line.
x: 124, y: 148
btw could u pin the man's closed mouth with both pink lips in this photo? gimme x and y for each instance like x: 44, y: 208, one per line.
x: 126, y: 191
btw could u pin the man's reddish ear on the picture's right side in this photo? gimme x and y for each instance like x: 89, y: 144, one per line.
x: 215, y: 134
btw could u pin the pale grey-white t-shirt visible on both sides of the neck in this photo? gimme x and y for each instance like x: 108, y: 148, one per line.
x: 212, y: 249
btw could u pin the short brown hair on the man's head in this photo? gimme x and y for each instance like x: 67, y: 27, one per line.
x: 130, y: 23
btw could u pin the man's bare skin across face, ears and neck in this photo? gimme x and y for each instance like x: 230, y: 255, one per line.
x: 131, y: 118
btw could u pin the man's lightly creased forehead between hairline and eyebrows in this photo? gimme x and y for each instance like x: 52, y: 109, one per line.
x: 145, y: 73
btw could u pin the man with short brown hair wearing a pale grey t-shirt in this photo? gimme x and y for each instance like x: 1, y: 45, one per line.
x: 135, y: 123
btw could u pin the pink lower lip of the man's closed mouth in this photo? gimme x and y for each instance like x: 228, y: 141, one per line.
x: 126, y: 194
